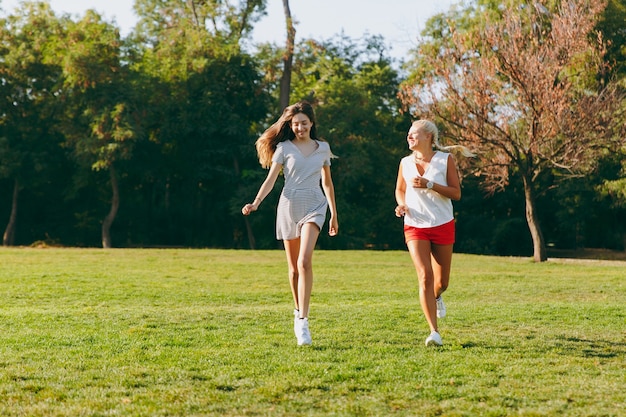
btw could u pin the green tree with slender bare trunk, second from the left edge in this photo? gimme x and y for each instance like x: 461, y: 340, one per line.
x: 100, y: 126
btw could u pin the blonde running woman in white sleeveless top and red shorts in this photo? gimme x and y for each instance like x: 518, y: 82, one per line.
x: 427, y: 183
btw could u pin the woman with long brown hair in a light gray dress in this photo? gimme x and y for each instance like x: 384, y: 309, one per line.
x: 291, y: 145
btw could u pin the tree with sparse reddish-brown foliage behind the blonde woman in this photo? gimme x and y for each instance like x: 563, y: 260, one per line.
x: 522, y: 89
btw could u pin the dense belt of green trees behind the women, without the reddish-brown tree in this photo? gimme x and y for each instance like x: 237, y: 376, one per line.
x: 175, y: 109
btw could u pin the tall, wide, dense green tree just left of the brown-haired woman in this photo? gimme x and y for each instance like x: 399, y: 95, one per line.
x: 206, y: 100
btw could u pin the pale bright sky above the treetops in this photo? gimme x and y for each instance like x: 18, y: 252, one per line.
x: 398, y: 21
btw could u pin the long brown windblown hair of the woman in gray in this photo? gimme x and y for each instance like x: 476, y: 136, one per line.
x: 281, y: 131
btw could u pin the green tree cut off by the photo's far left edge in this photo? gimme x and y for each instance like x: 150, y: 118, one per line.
x: 29, y: 146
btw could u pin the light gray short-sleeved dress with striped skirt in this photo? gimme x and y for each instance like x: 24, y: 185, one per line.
x: 302, y: 199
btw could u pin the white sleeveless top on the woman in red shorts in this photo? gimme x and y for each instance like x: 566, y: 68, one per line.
x: 427, y: 208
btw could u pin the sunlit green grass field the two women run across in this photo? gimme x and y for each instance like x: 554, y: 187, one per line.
x: 132, y: 332
